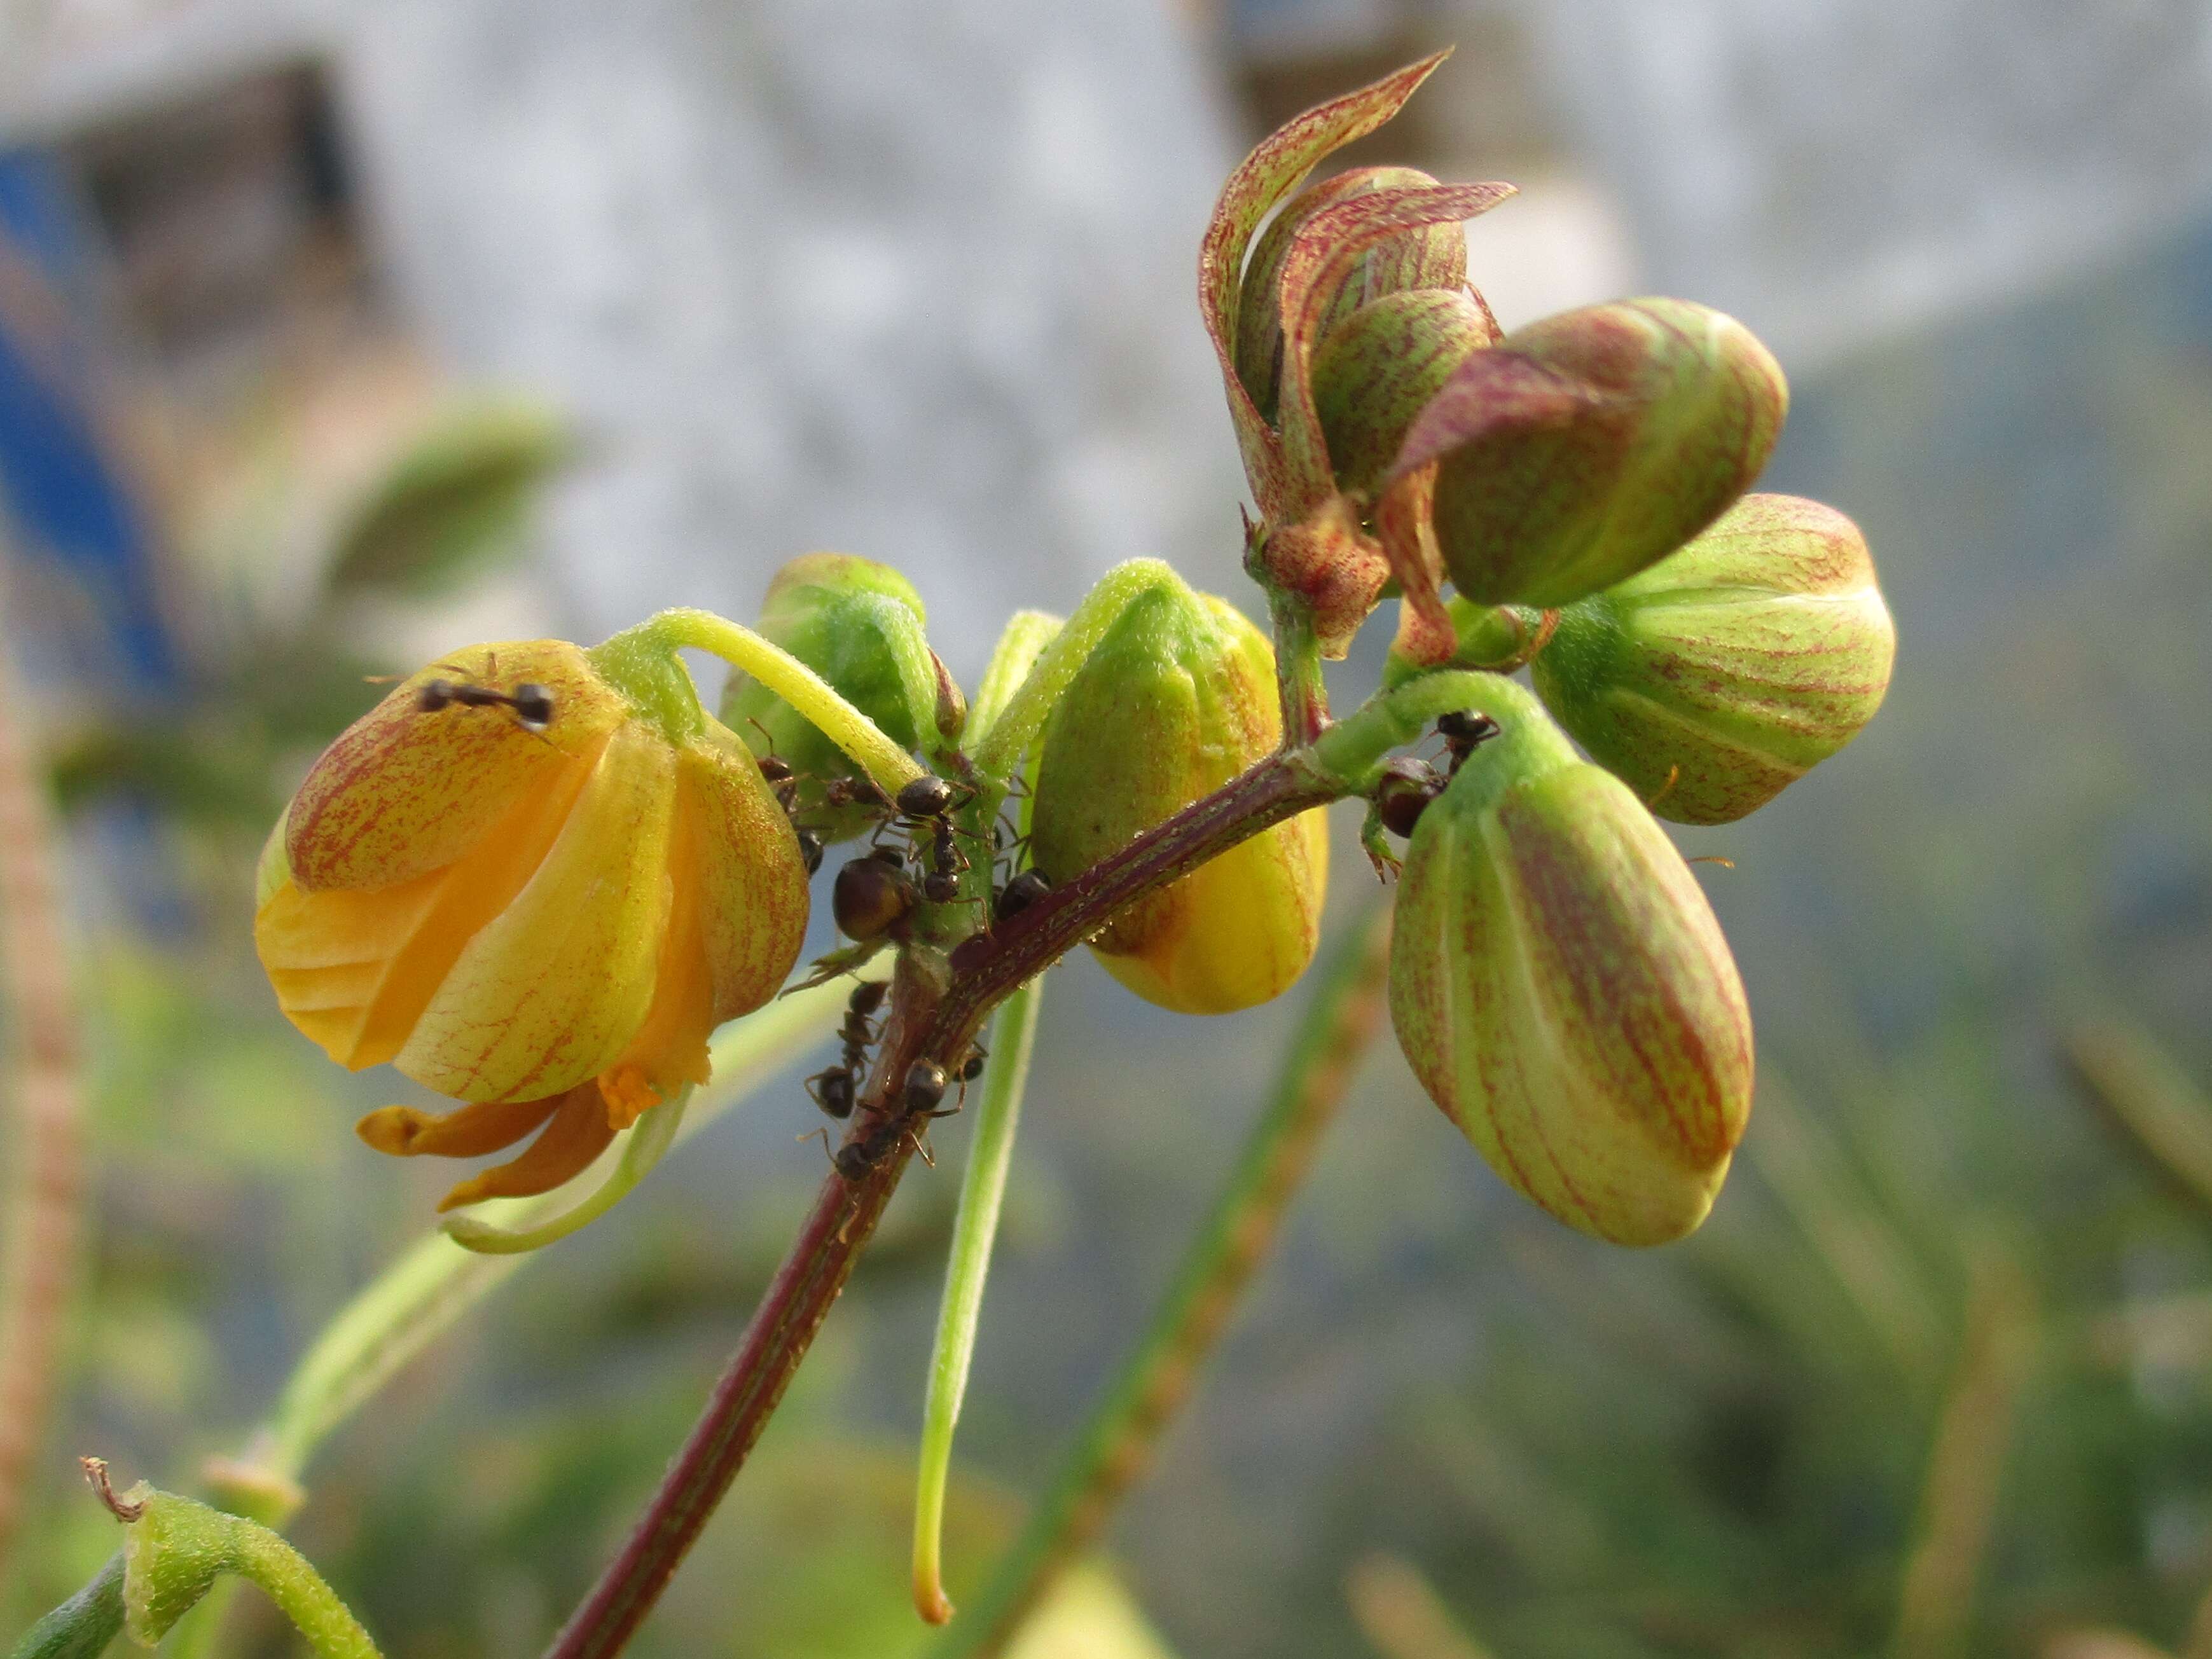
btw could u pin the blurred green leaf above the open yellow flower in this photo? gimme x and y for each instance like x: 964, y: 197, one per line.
x: 455, y: 503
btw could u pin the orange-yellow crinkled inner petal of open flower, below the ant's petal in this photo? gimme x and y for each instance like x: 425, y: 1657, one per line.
x: 355, y: 970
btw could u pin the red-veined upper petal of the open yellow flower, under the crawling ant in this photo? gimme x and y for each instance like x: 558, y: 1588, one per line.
x: 408, y: 791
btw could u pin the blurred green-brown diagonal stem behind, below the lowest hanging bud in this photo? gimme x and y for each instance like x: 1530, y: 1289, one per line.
x: 1156, y: 1379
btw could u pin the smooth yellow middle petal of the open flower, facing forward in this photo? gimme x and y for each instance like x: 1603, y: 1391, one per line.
x: 559, y: 983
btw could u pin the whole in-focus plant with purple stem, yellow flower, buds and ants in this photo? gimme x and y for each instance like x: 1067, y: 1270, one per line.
x: 539, y: 877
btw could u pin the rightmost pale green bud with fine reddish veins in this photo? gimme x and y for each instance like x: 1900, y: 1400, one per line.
x: 1729, y: 669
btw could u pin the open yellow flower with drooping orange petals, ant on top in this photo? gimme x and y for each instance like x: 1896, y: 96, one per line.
x: 534, y: 890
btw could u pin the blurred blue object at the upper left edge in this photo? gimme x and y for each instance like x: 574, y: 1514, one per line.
x: 56, y: 477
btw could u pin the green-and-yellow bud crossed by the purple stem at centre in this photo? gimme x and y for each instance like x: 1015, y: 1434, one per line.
x: 1176, y: 702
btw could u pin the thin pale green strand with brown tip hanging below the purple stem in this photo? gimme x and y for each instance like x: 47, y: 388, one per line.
x: 974, y: 1233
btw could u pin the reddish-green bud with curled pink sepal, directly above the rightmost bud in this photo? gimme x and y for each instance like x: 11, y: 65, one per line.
x: 1589, y: 446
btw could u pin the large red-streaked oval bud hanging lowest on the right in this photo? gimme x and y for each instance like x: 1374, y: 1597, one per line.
x: 1565, y: 994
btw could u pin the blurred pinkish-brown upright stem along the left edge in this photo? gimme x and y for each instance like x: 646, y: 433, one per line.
x: 39, y: 1246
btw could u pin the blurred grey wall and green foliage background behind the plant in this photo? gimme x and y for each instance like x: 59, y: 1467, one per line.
x: 340, y: 335
